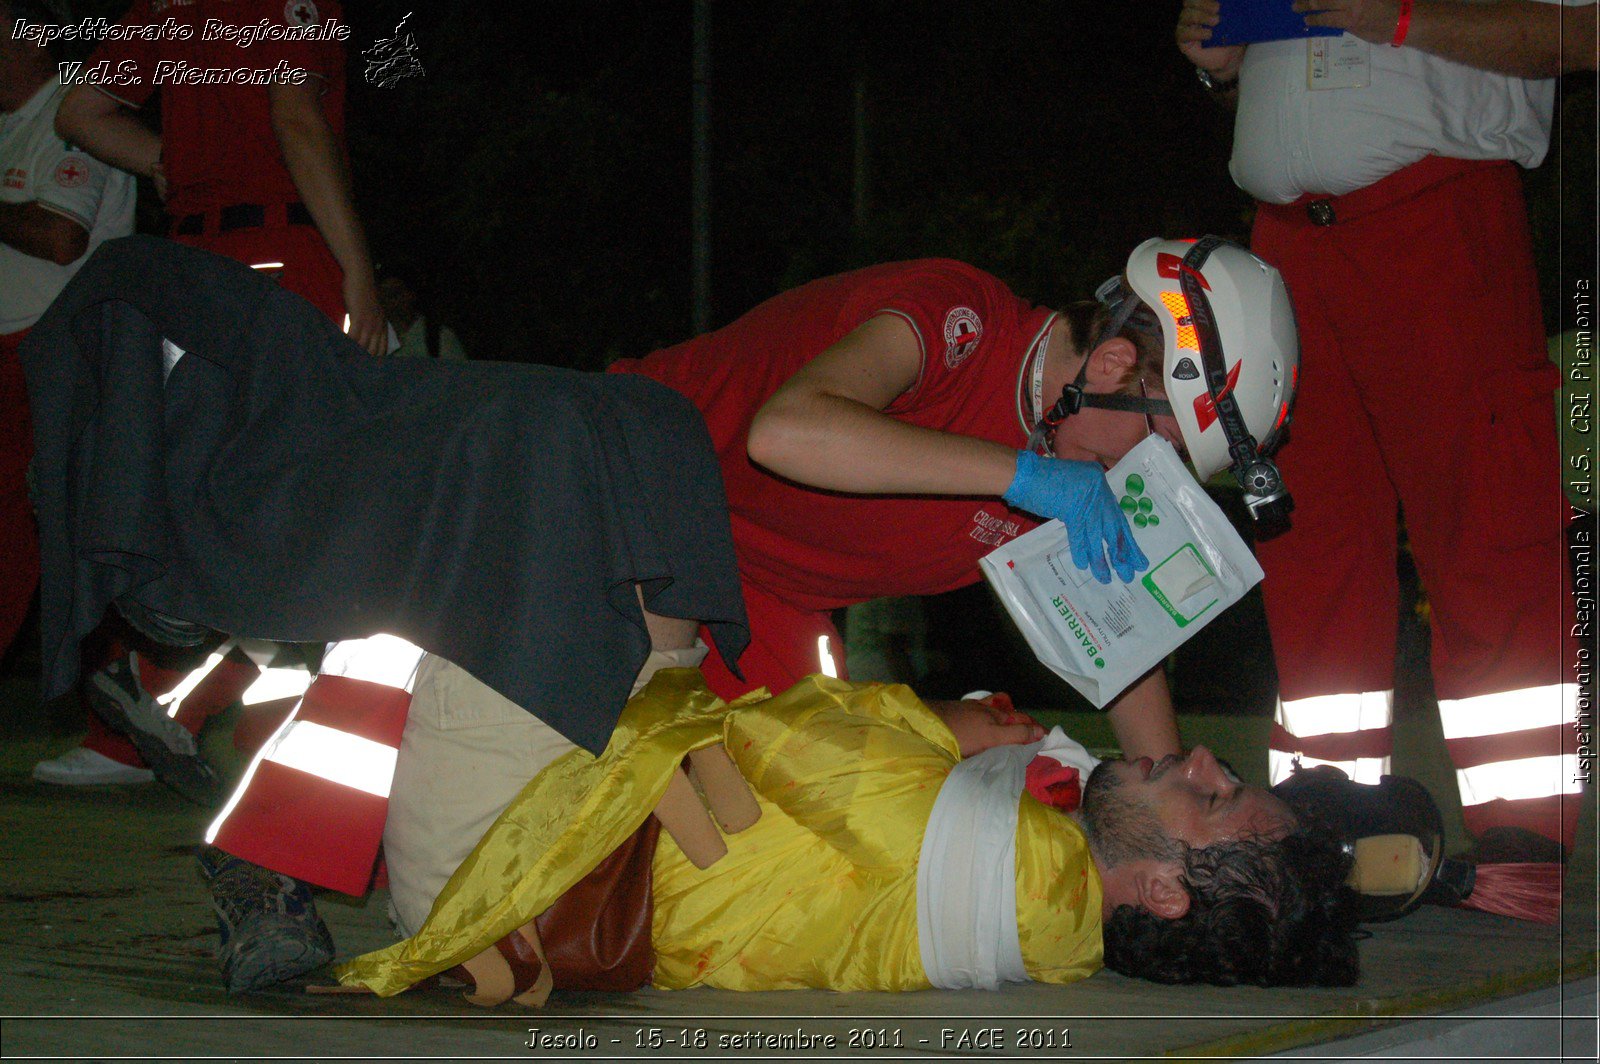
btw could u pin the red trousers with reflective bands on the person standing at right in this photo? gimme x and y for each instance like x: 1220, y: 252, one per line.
x: 1425, y: 385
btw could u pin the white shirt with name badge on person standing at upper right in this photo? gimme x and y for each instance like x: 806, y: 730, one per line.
x: 1292, y: 138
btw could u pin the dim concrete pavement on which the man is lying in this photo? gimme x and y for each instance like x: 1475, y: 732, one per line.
x: 106, y: 953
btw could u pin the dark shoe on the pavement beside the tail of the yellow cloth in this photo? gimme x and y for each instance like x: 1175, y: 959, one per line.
x: 270, y: 924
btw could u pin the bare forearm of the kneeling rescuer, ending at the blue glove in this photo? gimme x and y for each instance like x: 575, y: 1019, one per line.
x: 846, y: 446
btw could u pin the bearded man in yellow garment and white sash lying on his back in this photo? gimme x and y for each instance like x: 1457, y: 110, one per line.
x: 874, y: 857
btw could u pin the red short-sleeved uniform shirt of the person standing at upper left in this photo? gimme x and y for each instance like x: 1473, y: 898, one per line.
x: 218, y: 143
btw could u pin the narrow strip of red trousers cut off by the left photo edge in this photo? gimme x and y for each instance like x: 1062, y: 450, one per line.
x: 20, y: 574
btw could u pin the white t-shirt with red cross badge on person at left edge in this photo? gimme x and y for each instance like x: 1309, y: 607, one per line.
x: 36, y: 166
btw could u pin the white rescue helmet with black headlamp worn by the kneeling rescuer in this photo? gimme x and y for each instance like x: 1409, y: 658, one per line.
x: 1230, y: 335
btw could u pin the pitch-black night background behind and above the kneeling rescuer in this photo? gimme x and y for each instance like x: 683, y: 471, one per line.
x: 540, y: 175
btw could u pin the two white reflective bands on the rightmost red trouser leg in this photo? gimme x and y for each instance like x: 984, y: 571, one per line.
x: 1508, y: 713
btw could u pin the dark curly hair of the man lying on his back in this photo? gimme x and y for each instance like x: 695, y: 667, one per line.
x: 1268, y: 913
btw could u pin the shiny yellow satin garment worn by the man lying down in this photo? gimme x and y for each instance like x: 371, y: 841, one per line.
x: 820, y: 894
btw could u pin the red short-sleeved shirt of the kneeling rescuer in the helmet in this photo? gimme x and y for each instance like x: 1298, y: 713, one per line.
x: 825, y: 550
